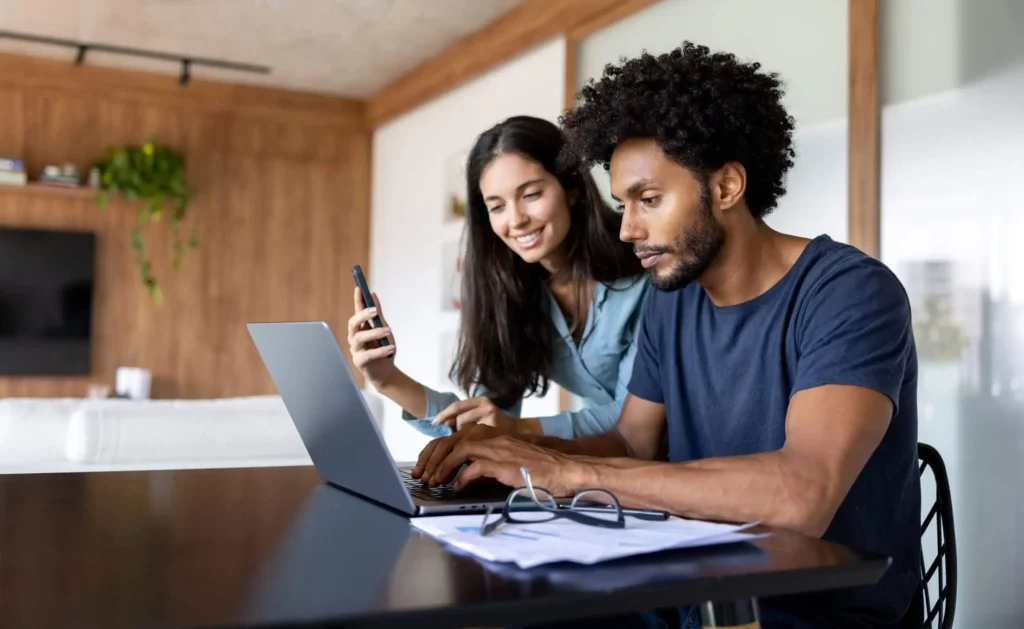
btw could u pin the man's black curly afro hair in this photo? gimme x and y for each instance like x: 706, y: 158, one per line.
x: 703, y: 109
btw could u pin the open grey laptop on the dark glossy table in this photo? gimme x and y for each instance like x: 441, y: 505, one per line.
x: 338, y: 431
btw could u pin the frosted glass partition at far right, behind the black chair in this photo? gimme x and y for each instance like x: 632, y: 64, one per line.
x: 953, y: 228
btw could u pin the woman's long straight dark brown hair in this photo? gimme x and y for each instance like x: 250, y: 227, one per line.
x: 507, y: 340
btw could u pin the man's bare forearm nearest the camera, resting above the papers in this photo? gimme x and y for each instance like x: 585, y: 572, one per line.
x: 769, y: 487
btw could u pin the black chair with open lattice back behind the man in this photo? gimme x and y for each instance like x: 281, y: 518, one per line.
x: 923, y: 614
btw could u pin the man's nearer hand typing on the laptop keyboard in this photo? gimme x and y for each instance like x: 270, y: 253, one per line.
x: 501, y: 458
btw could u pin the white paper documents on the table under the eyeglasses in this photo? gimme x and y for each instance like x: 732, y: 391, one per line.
x: 565, y: 540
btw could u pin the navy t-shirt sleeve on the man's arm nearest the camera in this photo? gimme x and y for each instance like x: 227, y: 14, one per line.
x: 857, y: 330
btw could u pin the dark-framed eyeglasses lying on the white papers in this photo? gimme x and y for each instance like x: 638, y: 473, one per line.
x: 594, y: 508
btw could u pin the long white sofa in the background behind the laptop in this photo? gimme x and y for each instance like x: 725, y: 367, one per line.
x: 74, y: 435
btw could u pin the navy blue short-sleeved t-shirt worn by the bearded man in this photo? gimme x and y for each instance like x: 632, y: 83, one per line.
x: 726, y: 376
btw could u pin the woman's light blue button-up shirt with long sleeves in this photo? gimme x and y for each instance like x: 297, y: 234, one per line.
x: 598, y: 370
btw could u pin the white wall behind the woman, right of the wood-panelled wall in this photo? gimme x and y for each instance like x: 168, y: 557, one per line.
x: 408, y: 223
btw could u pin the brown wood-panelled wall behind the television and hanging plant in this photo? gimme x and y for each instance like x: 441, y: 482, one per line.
x: 282, y: 205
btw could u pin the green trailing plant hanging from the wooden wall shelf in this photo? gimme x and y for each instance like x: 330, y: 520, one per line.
x: 156, y: 177
